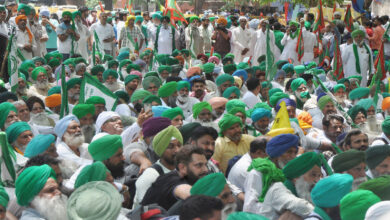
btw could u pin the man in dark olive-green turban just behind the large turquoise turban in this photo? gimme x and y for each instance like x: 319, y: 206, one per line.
x: 352, y: 162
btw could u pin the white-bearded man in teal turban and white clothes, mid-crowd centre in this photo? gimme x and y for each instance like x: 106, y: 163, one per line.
x: 184, y: 101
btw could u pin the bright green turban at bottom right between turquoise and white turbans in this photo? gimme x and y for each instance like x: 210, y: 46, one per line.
x: 355, y: 204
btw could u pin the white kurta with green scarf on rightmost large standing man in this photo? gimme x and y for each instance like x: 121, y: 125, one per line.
x: 349, y: 63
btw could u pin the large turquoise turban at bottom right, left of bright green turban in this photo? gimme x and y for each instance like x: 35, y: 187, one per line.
x: 328, y: 192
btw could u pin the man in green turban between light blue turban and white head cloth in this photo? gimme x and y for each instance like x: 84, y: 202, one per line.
x: 85, y: 113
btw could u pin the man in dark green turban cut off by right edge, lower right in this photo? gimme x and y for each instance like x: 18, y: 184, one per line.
x: 378, y: 160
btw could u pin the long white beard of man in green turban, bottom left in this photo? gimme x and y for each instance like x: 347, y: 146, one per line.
x: 53, y: 208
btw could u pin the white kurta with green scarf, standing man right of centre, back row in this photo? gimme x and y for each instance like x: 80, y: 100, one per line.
x: 261, y: 44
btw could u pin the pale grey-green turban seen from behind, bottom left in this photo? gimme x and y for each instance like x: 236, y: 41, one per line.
x: 95, y: 200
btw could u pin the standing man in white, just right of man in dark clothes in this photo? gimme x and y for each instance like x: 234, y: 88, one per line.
x: 241, y: 38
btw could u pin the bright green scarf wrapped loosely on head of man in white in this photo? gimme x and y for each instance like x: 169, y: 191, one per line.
x: 271, y: 174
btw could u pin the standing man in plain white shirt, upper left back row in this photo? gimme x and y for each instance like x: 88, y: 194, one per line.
x: 105, y: 32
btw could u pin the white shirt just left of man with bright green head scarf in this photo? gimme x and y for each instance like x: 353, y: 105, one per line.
x: 238, y: 173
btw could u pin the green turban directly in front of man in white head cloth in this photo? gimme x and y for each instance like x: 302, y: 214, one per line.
x: 105, y: 147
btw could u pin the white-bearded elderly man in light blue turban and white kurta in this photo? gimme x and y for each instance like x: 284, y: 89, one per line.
x: 70, y: 141
